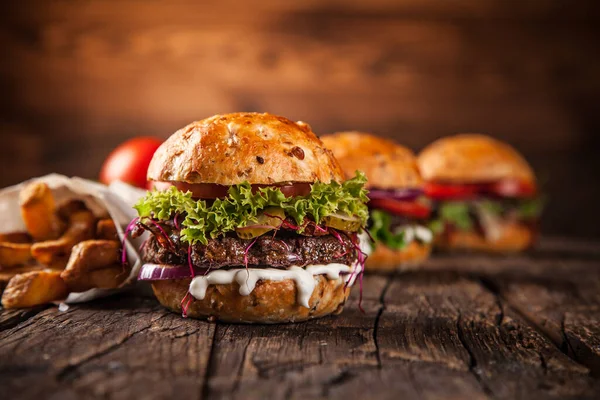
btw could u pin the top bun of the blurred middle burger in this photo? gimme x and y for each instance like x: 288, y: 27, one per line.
x: 386, y: 164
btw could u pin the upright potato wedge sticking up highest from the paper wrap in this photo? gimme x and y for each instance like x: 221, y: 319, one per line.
x: 38, y: 212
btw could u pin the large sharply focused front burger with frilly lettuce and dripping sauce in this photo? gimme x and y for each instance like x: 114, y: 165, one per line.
x: 254, y: 222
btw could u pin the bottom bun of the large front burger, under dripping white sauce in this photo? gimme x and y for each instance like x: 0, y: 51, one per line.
x: 270, y: 302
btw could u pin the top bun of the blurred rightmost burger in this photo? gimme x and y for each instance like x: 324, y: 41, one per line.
x: 472, y: 158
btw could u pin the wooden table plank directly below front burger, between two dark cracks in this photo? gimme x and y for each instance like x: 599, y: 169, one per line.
x: 303, y: 359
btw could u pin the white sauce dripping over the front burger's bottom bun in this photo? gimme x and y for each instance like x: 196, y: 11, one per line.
x: 247, y: 278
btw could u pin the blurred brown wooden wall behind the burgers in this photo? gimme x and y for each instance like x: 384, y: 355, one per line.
x: 78, y: 77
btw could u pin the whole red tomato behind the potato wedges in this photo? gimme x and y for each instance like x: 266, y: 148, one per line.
x: 129, y: 161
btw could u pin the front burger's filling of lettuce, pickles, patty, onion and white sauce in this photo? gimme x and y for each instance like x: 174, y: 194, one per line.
x: 254, y: 232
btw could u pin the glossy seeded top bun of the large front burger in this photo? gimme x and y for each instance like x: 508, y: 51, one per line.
x: 232, y: 148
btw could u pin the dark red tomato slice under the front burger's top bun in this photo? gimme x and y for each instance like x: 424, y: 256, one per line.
x: 214, y: 191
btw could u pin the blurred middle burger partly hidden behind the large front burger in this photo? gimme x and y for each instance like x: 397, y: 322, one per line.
x: 398, y: 212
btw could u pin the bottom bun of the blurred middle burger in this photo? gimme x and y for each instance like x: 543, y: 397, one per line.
x: 384, y: 259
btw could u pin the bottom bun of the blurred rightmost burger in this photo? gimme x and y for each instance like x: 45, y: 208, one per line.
x: 513, y: 237
